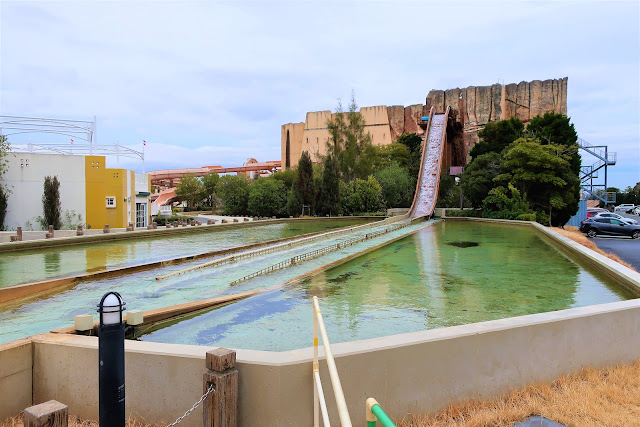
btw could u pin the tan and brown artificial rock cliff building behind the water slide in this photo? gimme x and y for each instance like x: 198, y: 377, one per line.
x: 473, y: 107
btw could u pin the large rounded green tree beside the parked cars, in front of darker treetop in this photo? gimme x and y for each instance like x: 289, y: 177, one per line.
x: 544, y: 176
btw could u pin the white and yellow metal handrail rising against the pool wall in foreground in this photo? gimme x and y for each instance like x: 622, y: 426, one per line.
x: 319, y: 403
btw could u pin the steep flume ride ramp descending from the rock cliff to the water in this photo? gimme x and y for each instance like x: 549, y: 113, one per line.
x: 424, y: 201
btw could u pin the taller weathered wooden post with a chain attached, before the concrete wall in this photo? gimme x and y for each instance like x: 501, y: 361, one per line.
x: 221, y: 406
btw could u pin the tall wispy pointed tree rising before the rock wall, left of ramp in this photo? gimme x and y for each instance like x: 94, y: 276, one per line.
x: 348, y: 142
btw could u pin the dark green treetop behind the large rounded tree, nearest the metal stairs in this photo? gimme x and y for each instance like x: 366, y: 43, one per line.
x: 556, y: 128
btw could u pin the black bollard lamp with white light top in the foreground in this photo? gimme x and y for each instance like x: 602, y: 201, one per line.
x: 111, y: 355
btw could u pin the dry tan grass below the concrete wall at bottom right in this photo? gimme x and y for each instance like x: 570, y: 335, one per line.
x: 607, y: 397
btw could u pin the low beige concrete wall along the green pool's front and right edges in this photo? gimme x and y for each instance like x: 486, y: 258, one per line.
x: 409, y: 373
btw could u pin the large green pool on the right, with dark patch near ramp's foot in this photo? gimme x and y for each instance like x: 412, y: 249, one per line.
x: 449, y: 274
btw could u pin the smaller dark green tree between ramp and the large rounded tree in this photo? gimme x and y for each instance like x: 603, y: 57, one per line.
x: 477, y: 178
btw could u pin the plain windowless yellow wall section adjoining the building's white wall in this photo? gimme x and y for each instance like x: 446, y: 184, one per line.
x: 94, y: 172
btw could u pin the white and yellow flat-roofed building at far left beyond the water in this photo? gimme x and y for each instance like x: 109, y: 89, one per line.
x: 101, y: 195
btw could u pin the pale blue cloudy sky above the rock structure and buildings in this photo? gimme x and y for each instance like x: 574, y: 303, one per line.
x: 211, y: 83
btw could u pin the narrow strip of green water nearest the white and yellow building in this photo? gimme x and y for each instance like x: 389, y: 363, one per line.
x: 40, y: 264
